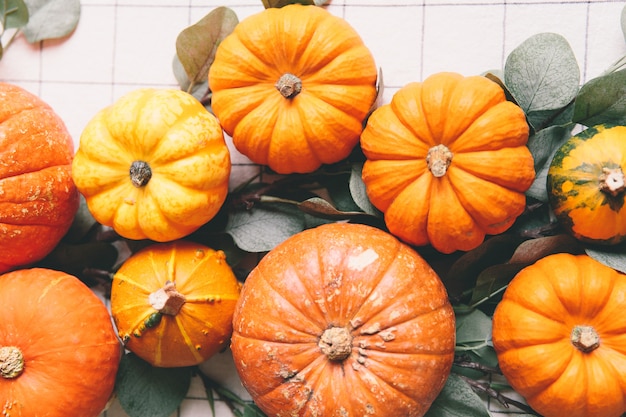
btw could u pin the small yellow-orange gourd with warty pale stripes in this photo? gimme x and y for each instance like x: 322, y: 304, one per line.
x: 173, y: 303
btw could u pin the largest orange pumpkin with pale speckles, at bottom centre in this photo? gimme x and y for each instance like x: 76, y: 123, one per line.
x: 343, y: 320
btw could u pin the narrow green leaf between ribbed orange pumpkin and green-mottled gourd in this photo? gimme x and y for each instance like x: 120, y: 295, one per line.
x: 543, y: 145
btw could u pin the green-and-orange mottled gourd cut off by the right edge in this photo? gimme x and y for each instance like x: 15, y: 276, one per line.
x: 586, y: 185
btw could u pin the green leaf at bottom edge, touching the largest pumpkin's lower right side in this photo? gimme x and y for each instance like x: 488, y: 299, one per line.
x: 457, y: 399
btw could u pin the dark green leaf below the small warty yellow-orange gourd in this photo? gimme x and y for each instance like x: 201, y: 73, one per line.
x: 147, y: 391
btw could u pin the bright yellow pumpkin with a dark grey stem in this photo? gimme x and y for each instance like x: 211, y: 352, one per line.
x: 153, y: 165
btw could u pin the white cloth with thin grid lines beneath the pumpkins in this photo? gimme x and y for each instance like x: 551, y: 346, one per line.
x: 121, y: 45
